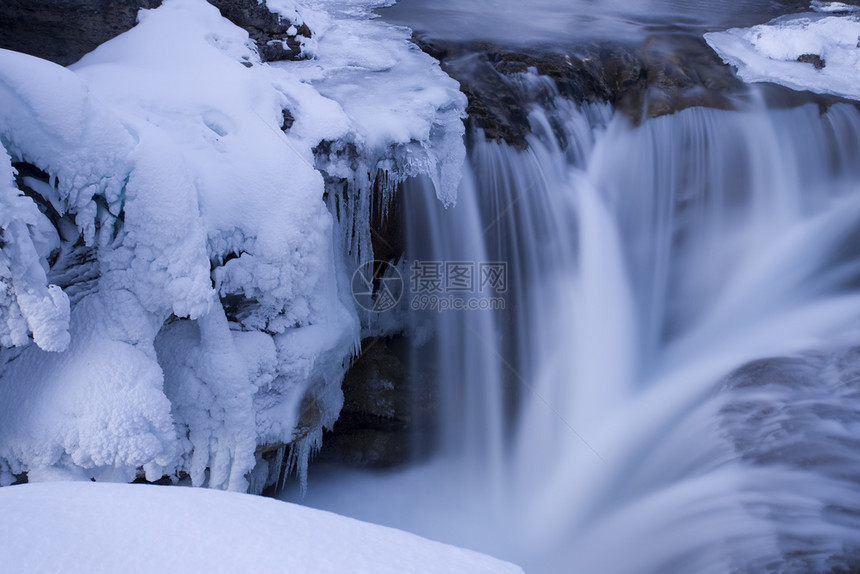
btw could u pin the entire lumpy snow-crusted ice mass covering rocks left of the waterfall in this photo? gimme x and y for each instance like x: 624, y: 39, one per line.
x: 166, y: 245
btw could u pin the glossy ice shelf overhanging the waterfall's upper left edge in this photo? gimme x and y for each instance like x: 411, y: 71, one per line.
x: 405, y: 113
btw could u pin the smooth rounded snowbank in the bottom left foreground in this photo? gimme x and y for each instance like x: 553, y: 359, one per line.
x: 95, y: 527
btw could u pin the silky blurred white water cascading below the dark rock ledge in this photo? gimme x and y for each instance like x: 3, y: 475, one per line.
x: 592, y: 426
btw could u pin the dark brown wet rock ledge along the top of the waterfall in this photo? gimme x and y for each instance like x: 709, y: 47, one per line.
x: 666, y: 72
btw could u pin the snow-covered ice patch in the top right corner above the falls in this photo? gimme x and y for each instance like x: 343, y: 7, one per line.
x: 769, y: 52
